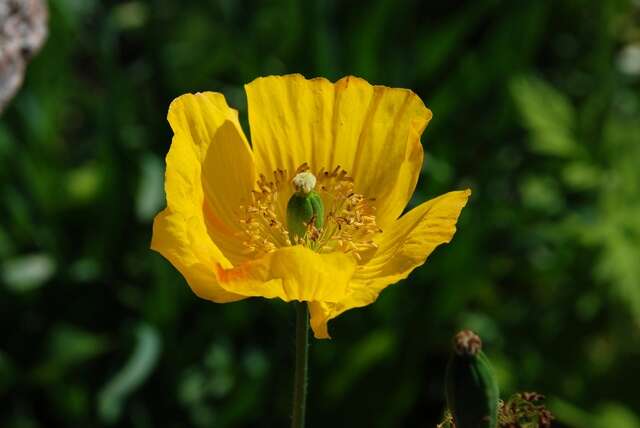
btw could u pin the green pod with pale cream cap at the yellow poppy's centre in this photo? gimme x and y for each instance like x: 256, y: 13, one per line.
x: 305, y: 207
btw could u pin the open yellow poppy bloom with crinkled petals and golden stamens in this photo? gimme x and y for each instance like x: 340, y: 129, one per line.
x: 358, y: 145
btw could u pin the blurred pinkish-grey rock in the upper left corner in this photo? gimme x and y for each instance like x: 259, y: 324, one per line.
x: 23, y: 29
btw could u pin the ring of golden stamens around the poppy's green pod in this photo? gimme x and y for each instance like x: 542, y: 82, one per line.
x: 349, y: 223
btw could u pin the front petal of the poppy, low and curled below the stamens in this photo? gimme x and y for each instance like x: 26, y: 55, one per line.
x: 292, y: 273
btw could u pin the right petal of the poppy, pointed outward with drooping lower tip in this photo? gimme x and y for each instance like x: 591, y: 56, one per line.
x: 402, y: 247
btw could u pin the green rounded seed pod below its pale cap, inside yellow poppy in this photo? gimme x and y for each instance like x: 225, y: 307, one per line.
x: 302, y: 208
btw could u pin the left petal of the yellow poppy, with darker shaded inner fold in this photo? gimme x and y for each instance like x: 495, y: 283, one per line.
x: 209, y: 171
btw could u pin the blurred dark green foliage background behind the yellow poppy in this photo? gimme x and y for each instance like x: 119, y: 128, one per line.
x: 536, y: 108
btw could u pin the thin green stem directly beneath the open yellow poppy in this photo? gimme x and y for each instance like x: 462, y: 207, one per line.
x: 302, y: 363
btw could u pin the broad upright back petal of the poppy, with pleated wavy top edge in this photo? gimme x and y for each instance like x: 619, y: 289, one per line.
x: 373, y: 132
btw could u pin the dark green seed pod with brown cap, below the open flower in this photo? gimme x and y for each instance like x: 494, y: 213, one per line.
x: 471, y: 388
